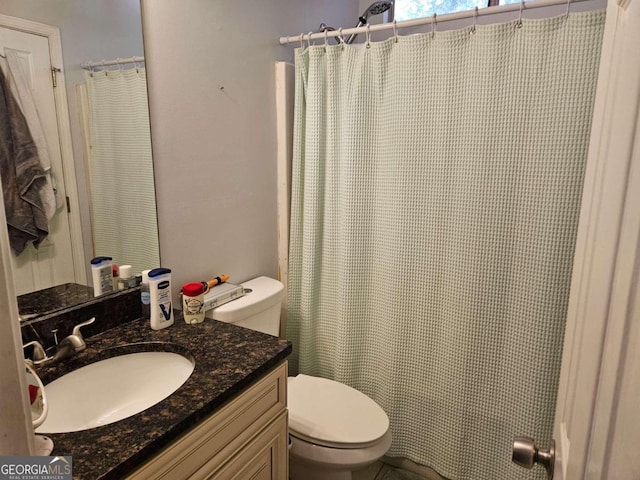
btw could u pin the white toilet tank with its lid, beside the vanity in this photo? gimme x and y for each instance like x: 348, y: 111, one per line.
x: 258, y: 309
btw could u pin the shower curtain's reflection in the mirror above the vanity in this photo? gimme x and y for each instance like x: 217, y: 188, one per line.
x: 124, y: 221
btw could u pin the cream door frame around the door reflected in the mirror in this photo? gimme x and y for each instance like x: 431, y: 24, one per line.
x: 64, y: 131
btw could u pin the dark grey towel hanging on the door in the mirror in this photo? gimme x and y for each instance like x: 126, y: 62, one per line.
x: 22, y: 176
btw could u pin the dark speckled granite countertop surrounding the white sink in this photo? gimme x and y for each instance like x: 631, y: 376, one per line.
x: 227, y: 358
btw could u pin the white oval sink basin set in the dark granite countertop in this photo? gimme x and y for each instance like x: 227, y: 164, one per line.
x: 112, y: 389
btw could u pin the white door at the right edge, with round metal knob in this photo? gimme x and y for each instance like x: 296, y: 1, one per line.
x: 607, y: 260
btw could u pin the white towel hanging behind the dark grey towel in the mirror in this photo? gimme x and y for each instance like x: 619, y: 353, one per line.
x: 17, y: 81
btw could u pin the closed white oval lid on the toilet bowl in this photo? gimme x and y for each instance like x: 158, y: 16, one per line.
x: 333, y: 414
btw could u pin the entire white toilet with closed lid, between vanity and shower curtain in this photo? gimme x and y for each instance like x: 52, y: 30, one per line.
x: 333, y: 428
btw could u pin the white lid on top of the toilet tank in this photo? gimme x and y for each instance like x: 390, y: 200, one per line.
x: 265, y: 292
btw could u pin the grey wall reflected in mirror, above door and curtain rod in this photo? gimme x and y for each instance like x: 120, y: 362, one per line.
x: 91, y: 30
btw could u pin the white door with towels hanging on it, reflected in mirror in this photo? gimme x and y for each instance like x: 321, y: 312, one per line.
x: 52, y: 263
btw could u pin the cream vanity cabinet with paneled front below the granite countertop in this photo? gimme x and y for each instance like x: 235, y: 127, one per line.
x: 246, y: 439
